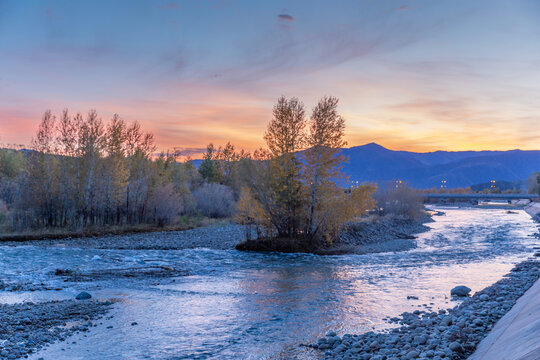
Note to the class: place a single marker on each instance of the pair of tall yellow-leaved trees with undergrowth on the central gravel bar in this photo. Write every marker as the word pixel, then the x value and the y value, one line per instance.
pixel 300 196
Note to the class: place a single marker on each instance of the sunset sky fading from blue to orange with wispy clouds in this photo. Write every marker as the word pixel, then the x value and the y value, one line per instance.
pixel 418 75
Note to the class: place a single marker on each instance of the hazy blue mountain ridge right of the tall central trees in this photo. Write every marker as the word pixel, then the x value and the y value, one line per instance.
pixel 372 162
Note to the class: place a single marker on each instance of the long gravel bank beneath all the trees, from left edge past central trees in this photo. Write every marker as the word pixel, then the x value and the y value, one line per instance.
pixel 370 235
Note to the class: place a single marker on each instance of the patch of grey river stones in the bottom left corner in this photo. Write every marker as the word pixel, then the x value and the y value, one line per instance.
pixel 28 327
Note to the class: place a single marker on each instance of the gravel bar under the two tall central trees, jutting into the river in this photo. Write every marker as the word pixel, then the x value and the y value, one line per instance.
pixel 374 234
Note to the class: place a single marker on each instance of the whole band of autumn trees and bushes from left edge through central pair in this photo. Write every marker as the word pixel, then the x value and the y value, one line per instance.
pixel 82 172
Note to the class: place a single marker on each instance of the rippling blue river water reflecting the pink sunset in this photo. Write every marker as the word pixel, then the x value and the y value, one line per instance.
pixel 236 305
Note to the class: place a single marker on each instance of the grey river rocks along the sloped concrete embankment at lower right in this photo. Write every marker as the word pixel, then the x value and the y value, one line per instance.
pixel 446 334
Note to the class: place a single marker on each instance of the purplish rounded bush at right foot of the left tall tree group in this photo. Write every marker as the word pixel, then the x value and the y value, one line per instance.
pixel 165 205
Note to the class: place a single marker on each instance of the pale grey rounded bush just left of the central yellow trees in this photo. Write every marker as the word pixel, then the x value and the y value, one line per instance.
pixel 215 200
